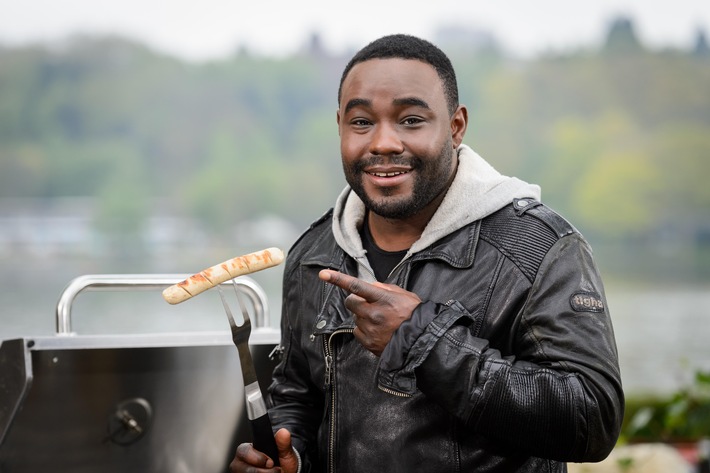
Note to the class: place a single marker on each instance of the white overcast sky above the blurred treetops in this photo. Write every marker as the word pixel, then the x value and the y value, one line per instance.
pixel 203 29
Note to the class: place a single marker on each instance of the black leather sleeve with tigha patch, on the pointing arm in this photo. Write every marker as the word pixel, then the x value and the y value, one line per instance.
pixel 556 393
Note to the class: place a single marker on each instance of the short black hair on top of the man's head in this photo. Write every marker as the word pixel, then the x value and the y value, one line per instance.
pixel 403 46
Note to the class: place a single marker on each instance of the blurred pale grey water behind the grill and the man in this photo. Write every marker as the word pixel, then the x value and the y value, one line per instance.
pixel 662 332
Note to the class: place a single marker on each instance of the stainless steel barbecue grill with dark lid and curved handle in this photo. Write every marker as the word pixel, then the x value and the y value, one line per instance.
pixel 170 402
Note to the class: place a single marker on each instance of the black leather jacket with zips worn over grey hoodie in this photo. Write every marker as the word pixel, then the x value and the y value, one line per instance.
pixel 508 365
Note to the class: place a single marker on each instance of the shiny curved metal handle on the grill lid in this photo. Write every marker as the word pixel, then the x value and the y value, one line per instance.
pixel 147 282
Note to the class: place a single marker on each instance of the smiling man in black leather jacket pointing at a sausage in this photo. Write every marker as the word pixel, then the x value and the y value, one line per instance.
pixel 440 318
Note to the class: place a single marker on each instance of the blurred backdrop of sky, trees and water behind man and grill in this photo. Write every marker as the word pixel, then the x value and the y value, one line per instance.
pixel 165 137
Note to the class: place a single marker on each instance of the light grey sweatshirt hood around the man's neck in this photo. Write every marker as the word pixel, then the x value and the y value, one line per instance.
pixel 477 190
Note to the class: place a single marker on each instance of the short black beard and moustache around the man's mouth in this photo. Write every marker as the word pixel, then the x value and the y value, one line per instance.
pixel 432 175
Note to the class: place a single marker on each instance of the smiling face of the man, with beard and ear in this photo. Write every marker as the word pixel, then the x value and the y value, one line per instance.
pixel 396 138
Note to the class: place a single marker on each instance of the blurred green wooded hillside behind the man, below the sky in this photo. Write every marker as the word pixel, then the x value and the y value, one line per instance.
pixel 616 136
